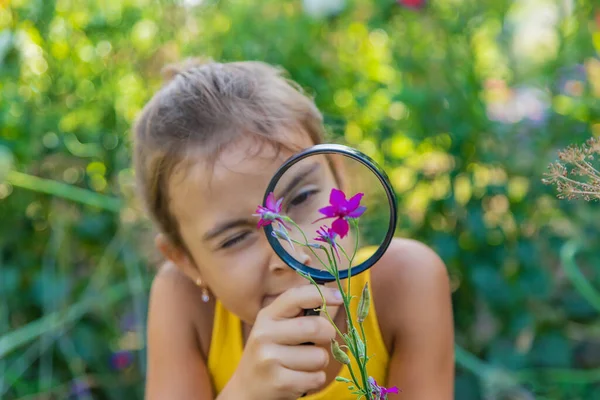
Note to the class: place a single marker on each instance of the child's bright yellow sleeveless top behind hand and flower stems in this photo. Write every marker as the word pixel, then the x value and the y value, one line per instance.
pixel 226 348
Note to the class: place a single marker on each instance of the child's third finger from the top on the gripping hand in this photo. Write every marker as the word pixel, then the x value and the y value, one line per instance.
pixel 302 358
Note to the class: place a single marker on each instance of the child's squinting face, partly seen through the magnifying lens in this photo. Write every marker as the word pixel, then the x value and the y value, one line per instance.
pixel 214 208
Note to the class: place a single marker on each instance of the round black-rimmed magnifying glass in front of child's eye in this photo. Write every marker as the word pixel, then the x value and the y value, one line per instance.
pixel 331 194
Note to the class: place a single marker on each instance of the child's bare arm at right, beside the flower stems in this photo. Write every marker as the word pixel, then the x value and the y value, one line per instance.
pixel 420 318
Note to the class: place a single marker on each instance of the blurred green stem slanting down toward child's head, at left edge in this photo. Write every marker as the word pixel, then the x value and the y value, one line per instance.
pixel 59 189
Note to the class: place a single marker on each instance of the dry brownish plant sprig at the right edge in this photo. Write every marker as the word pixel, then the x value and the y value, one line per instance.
pixel 574 174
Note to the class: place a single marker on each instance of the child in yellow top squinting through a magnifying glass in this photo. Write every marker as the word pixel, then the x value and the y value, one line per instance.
pixel 225 316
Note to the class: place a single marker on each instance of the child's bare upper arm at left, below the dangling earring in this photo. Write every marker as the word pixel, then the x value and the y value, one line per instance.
pixel 176 366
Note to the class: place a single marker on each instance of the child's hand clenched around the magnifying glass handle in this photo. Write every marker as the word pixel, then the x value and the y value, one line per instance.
pixel 274 366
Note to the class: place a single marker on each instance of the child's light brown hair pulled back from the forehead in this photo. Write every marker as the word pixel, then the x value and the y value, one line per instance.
pixel 203 107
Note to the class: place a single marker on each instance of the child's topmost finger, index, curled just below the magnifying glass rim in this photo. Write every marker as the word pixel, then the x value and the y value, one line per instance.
pixel 293 301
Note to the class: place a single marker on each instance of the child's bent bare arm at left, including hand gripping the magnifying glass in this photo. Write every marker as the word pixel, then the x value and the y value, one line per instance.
pixel 273 365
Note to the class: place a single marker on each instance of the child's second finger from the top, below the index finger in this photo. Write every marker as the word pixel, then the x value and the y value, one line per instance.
pixel 301 330
